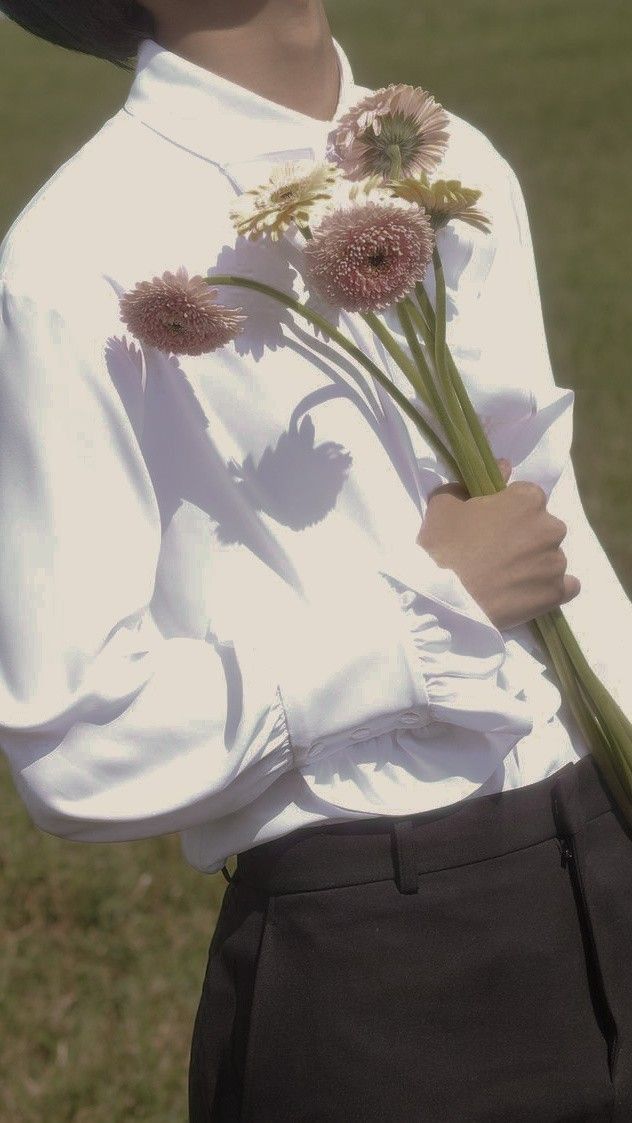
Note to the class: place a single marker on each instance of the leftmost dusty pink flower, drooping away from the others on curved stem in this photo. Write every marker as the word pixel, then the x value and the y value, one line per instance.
pixel 179 314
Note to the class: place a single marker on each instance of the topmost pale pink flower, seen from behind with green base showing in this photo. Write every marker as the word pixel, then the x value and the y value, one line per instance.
pixel 396 132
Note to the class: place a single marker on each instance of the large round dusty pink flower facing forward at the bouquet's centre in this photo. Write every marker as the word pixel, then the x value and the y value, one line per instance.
pixel 368 258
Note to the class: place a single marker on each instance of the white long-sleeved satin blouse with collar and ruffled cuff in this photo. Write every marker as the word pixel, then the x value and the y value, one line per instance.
pixel 215 618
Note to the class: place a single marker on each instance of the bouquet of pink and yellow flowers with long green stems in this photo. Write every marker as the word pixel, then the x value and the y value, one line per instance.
pixel 368 221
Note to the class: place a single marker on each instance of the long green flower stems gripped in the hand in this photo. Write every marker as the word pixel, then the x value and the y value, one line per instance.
pixel 465 450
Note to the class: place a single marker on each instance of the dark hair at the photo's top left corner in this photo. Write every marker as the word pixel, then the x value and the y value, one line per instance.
pixel 111 30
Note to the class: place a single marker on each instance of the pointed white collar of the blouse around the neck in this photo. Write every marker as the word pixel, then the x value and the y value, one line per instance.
pixel 221 121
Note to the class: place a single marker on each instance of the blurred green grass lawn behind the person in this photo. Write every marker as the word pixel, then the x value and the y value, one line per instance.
pixel 104 947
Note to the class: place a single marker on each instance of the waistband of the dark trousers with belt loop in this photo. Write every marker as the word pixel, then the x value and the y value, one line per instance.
pixel 359 852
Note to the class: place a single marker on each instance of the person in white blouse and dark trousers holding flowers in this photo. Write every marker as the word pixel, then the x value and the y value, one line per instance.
pixel 241 601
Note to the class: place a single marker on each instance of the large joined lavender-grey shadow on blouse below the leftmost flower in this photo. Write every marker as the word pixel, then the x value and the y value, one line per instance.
pixel 296 482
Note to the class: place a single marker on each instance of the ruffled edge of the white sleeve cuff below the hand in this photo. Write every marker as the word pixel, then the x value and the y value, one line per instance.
pixel 474 717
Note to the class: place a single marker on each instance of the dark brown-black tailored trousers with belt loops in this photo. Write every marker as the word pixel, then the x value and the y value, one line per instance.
pixel 471 965
